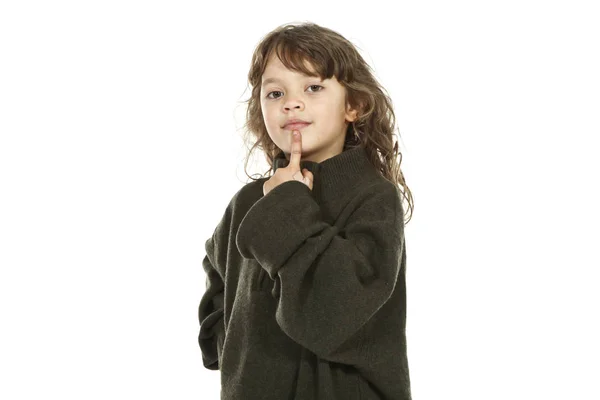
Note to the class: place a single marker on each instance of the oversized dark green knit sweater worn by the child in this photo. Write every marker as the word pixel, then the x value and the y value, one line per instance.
pixel 305 289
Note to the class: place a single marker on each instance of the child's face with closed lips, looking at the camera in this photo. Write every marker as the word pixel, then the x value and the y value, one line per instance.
pixel 294 96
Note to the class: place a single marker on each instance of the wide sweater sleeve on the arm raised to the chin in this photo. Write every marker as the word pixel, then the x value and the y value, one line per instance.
pixel 330 279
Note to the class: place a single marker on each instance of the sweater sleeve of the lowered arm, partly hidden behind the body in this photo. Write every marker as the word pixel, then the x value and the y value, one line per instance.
pixel 210 312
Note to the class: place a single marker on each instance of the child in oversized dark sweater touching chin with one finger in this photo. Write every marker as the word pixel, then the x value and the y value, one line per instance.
pixel 305 273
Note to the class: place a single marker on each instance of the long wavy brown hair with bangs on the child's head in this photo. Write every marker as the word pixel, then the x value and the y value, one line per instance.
pixel 330 54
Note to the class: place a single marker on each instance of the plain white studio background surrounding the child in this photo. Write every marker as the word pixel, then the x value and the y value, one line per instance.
pixel 121 146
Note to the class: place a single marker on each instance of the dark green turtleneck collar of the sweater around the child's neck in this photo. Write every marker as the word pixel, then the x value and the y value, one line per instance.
pixel 337 175
